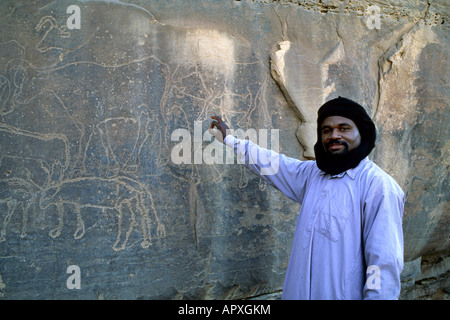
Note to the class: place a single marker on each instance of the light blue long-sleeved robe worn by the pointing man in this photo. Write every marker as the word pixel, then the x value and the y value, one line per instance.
pixel 348 241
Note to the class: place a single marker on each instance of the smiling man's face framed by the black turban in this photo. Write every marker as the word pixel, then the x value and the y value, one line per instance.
pixel 339 135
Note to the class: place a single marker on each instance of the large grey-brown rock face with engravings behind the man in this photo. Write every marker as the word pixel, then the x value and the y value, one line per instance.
pixel 106 162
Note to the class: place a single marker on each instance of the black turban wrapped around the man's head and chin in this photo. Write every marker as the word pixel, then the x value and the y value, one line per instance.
pixel 335 164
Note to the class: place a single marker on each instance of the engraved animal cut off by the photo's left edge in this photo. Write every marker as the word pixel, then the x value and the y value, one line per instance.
pixel 28 161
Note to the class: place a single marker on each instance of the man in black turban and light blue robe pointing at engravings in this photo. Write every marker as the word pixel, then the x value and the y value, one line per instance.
pixel 348 241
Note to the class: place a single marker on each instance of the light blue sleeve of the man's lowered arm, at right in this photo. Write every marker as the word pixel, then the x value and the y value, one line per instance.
pixel 383 239
